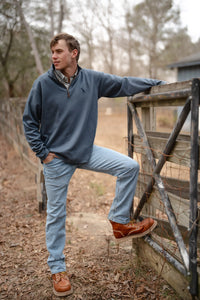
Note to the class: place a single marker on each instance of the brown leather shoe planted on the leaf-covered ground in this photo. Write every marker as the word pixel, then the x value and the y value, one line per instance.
pixel 61 284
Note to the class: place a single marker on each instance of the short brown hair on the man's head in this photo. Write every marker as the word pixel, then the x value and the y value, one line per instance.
pixel 71 42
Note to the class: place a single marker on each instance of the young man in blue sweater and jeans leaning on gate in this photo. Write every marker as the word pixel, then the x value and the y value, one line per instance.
pixel 60 120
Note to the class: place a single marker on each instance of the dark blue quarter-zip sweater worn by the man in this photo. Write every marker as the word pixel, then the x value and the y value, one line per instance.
pixel 65 123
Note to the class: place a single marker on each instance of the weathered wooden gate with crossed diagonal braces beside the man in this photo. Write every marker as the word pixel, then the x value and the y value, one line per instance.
pixel 173 248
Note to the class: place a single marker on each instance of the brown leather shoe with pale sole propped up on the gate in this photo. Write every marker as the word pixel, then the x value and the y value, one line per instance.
pixel 133 230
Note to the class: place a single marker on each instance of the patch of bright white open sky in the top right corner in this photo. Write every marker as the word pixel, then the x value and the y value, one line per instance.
pixel 190 16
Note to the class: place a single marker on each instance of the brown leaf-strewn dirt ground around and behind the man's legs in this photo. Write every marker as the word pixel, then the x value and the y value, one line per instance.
pixel 98 268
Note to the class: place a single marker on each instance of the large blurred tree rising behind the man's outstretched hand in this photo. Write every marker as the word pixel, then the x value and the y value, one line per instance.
pixel 152 22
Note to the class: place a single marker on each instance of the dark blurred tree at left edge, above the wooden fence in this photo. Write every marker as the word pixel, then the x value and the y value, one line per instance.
pixel 11 38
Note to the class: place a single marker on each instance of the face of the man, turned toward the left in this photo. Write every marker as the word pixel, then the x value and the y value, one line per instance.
pixel 61 56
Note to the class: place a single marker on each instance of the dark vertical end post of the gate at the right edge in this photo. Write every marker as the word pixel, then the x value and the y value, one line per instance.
pixel 193 222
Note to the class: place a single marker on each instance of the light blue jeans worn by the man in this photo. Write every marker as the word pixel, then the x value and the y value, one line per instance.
pixel 57 176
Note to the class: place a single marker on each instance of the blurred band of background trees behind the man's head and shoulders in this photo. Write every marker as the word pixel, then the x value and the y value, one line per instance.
pixel 115 36
